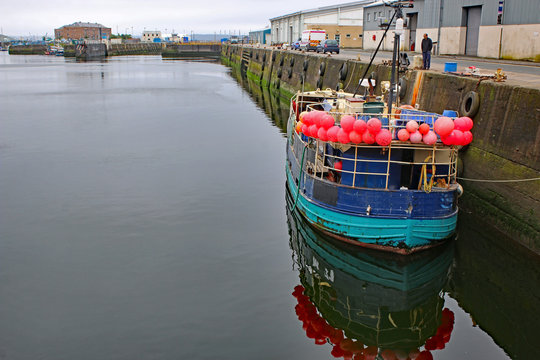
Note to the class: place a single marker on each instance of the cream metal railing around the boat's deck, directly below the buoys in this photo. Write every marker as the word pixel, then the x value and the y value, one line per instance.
pixel 346 165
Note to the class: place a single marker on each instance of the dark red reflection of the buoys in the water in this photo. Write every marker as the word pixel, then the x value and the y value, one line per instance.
pixel 318 329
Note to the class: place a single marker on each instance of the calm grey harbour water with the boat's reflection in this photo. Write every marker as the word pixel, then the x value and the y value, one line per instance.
pixel 143 216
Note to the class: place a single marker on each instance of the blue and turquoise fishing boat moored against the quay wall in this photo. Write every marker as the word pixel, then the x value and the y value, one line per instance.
pixel 374 173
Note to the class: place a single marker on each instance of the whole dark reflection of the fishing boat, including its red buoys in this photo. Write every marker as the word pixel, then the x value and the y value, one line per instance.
pixel 368 304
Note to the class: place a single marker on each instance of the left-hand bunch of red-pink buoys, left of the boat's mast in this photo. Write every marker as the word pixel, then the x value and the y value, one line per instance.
pixel 321 125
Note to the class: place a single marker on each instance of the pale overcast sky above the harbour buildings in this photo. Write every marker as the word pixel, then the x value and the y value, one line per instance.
pixel 40 17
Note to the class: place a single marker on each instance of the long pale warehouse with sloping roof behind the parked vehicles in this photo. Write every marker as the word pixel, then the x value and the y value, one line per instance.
pixel 341 22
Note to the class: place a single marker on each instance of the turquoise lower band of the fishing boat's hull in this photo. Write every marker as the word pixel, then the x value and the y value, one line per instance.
pixel 396 234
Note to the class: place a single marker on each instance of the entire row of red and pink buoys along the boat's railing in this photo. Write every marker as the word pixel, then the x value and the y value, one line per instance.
pixel 321 125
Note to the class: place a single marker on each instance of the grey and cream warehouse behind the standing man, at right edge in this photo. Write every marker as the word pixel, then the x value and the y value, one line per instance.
pixel 485 28
